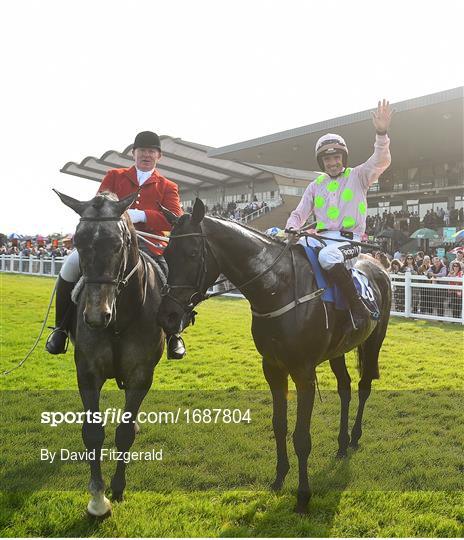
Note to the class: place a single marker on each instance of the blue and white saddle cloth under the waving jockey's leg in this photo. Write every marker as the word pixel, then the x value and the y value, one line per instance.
pixel 332 292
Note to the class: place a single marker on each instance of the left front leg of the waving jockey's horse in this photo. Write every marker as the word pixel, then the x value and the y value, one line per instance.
pixel 278 383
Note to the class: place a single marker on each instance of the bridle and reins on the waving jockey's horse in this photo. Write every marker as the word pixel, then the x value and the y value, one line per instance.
pixel 199 286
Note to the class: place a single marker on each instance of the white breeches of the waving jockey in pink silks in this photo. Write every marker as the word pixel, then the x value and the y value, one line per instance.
pixel 334 252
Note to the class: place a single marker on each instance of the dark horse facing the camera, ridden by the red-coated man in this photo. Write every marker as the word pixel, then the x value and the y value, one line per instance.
pixel 115 331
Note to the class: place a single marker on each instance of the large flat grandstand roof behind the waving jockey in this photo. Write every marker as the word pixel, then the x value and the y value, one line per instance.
pixel 426 128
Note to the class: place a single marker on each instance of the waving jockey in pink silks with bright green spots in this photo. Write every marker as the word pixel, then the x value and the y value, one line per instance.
pixel 338 198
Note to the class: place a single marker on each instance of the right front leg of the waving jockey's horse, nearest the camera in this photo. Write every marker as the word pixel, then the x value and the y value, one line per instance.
pixel 305 388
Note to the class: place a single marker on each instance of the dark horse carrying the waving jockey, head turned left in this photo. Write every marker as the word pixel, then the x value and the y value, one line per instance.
pixel 292 328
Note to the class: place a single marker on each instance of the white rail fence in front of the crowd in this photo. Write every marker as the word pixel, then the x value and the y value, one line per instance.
pixel 416 297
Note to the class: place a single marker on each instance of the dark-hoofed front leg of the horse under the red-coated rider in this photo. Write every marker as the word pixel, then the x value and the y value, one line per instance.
pixel 125 435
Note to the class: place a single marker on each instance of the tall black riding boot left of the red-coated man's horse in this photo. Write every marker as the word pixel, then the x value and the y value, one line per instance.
pixel 56 342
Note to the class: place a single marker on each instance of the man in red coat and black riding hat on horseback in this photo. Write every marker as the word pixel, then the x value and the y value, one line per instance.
pixel 145 215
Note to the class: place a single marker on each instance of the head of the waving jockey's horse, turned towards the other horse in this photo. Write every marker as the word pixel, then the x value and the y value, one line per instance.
pixel 192 269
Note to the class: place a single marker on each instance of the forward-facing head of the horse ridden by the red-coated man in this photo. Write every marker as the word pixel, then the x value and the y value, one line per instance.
pixel 103 239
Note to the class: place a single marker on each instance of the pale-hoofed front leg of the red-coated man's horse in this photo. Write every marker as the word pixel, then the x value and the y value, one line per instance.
pixel 93 435
